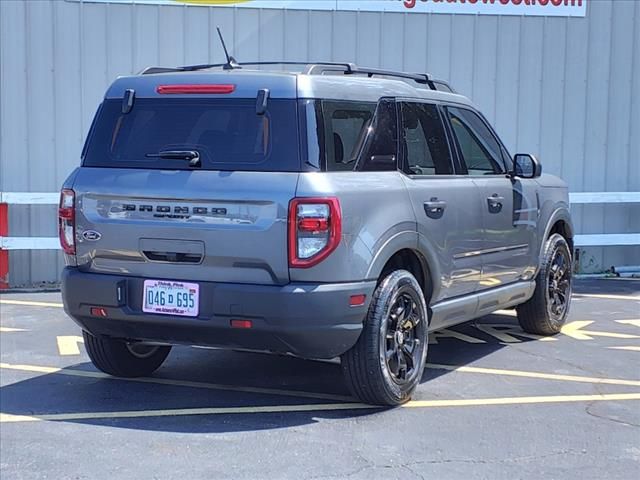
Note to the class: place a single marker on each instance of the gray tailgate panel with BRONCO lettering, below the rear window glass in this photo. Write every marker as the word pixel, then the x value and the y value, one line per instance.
pixel 199 225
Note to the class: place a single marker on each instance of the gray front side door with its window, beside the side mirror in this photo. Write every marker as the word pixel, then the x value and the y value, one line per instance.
pixel 509 207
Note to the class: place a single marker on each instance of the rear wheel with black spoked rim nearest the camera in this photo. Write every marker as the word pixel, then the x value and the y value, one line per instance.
pixel 396 324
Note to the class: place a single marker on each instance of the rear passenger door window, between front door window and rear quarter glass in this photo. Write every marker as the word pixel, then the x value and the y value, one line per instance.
pixel 423 140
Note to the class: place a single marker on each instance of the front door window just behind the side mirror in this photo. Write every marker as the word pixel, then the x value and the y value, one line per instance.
pixel 481 152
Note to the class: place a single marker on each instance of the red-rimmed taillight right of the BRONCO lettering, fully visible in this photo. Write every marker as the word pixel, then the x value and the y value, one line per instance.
pixel 315 226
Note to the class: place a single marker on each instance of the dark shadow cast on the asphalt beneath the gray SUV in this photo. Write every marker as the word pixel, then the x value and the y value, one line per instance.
pixel 216 379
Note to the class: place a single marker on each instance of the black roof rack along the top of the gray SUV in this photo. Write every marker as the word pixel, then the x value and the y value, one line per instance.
pixel 316 68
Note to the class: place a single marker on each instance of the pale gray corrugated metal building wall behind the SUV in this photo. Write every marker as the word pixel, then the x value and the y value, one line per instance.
pixel 565 89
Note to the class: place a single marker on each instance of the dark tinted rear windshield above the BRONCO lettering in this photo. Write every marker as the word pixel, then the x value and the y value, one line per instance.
pixel 227 134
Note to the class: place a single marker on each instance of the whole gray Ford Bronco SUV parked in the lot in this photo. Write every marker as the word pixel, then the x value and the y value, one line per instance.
pixel 334 212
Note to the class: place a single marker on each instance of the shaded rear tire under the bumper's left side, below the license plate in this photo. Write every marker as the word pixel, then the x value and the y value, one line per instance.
pixel 122 359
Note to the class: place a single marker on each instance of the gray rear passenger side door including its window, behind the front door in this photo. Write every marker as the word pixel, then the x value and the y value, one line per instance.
pixel 446 207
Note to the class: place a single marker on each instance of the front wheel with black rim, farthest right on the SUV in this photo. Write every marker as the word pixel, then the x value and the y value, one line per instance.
pixel 542 314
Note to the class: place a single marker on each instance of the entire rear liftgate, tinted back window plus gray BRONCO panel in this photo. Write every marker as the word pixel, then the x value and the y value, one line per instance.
pixel 142 213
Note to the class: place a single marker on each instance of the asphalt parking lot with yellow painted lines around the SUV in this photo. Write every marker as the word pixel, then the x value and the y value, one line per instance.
pixel 494 404
